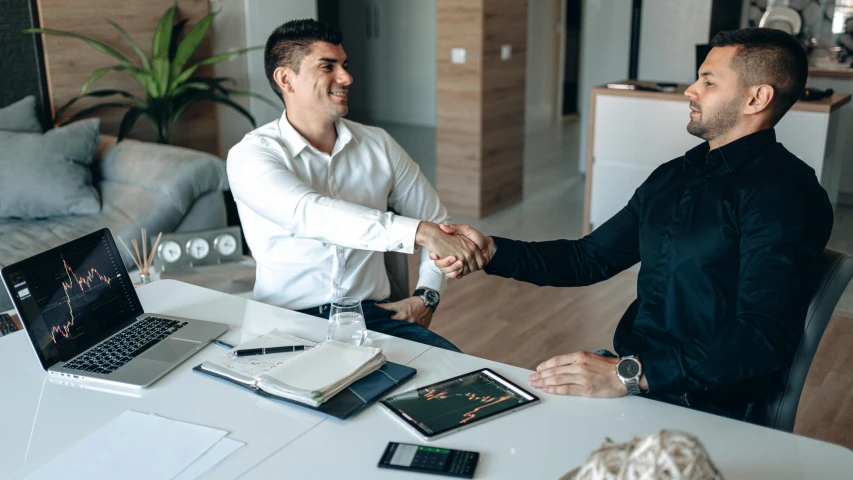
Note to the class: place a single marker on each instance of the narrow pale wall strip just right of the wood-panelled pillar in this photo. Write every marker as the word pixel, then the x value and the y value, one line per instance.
pixel 541 72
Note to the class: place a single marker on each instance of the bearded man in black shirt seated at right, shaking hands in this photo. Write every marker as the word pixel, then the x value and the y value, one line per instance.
pixel 728 237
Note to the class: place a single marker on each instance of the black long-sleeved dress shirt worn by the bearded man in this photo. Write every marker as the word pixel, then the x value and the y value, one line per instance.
pixel 728 242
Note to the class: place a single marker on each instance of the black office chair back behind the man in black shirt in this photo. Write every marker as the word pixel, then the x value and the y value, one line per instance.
pixel 781 411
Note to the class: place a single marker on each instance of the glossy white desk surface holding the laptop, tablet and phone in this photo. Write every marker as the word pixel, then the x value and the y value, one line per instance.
pixel 543 441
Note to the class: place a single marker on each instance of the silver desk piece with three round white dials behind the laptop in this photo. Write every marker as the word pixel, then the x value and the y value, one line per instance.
pixel 180 251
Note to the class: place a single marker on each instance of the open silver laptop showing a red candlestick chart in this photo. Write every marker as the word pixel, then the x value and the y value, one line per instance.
pixel 84 319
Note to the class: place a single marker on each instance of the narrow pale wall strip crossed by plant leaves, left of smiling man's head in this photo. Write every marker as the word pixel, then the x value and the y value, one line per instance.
pixel 229 33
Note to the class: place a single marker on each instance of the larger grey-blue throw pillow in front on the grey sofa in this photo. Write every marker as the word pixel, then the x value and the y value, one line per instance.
pixel 47 175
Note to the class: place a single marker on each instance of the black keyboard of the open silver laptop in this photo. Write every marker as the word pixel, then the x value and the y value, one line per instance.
pixel 123 347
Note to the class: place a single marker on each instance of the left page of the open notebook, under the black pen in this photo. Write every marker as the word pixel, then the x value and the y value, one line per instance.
pixel 247 369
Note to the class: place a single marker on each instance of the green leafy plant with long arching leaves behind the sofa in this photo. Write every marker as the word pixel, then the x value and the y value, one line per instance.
pixel 171 86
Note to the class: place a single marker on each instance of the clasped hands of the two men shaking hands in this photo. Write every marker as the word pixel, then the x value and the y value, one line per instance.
pixel 457 250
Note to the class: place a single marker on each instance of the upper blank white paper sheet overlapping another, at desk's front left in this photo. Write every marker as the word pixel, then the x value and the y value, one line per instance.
pixel 133 446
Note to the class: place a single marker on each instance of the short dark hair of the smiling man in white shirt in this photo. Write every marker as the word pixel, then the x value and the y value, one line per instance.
pixel 288 44
